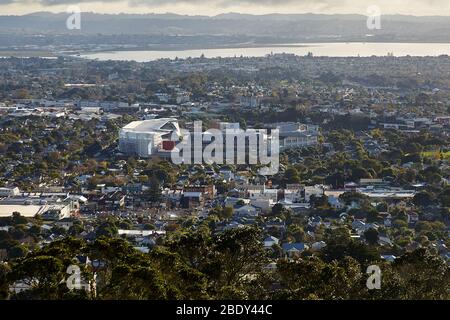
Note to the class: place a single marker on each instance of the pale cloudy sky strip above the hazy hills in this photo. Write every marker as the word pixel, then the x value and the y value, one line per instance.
pixel 214 7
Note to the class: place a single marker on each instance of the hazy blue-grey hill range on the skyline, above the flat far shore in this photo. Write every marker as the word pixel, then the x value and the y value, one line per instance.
pixel 300 26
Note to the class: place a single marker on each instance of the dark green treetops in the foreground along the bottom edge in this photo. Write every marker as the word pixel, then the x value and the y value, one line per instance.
pixel 196 264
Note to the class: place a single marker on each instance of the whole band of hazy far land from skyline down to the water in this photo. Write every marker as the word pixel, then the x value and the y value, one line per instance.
pixel 230 29
